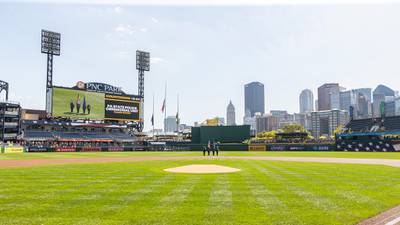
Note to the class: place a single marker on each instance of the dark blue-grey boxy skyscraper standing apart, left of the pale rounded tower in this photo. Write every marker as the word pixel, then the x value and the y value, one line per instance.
pixel 254 99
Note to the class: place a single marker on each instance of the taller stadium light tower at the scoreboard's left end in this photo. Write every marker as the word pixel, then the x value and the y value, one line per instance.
pixel 50 46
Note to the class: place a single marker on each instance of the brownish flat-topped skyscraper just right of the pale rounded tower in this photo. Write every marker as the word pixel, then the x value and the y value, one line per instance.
pixel 328 96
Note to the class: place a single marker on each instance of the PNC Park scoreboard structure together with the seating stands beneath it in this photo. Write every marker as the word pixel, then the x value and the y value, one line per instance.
pixel 86 117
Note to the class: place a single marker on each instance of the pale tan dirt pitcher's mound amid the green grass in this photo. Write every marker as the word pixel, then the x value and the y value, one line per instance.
pixel 202 168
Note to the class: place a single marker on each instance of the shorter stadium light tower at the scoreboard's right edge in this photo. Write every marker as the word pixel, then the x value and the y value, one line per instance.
pixel 142 64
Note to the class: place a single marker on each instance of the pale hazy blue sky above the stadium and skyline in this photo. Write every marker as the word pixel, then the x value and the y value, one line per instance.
pixel 204 53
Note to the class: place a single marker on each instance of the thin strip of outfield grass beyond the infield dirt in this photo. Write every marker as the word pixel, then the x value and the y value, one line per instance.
pixel 379 155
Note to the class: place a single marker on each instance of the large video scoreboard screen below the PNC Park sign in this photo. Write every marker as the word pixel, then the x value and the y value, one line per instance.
pixel 81 104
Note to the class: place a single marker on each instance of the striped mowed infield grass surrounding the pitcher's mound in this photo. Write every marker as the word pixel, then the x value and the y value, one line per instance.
pixel 264 192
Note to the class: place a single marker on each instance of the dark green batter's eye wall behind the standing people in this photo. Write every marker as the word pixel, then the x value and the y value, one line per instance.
pixel 223 134
